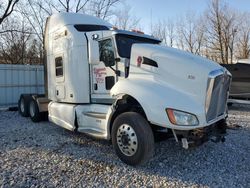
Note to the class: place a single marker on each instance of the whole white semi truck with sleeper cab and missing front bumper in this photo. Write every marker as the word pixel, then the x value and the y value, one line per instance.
pixel 125 87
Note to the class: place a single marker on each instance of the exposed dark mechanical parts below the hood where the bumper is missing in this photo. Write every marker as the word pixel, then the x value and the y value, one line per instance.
pixel 215 132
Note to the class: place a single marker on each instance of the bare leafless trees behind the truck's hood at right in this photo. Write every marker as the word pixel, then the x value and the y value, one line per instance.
pixel 220 33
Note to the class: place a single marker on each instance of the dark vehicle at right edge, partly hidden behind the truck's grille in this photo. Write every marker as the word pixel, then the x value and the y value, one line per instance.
pixel 240 87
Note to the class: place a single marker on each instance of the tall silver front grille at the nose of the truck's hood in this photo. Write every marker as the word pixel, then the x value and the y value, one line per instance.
pixel 217 94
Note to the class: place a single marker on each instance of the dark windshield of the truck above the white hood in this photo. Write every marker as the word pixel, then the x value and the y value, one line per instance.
pixel 124 43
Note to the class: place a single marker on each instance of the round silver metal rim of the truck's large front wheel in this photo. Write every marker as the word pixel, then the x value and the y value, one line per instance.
pixel 127 140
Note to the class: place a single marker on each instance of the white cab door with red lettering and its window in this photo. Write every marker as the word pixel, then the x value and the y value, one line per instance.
pixel 103 76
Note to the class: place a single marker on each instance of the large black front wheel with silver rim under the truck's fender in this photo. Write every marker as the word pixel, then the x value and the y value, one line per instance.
pixel 132 138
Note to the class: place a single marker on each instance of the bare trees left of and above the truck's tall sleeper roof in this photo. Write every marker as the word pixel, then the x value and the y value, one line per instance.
pixel 22 24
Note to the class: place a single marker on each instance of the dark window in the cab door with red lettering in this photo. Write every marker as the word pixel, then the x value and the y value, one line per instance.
pixel 107 52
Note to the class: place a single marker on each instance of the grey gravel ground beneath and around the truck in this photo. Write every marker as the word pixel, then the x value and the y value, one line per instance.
pixel 45 155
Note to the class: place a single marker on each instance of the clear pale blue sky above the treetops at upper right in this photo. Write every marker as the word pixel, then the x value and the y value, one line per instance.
pixel 173 9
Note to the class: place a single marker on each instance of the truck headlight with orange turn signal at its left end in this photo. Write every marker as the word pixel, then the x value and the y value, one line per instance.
pixel 177 117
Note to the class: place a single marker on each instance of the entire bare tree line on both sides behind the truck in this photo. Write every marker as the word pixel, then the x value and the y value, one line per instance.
pixel 220 33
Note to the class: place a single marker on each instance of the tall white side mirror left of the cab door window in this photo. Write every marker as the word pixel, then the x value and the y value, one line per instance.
pixel 94 54
